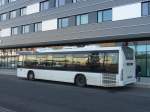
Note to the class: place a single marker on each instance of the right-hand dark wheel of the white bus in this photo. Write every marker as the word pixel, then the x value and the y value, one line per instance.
pixel 80 80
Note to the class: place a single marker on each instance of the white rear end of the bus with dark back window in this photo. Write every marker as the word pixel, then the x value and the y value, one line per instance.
pixel 127 66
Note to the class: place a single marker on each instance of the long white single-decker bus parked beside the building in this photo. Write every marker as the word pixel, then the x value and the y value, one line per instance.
pixel 98 66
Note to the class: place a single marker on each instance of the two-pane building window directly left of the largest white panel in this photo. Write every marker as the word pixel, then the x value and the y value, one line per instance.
pixel 105 15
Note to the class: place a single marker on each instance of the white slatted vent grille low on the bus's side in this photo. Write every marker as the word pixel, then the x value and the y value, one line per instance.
pixel 109 80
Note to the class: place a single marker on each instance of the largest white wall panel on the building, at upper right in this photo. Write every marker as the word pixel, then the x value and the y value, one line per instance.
pixel 126 11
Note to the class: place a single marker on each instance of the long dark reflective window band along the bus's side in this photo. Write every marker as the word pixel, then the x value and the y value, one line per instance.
pixel 102 62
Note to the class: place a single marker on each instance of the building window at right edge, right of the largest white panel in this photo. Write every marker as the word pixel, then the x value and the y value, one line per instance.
pixel 145 8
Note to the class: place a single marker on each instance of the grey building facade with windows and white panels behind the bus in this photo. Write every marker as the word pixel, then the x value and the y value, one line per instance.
pixel 31 24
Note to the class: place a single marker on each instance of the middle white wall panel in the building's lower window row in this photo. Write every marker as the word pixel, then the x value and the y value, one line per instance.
pixel 49 25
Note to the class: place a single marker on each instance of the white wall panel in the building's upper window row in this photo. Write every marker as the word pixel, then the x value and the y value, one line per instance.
pixel 34 8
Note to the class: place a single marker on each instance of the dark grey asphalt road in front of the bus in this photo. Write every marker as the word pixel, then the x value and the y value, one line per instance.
pixel 17 95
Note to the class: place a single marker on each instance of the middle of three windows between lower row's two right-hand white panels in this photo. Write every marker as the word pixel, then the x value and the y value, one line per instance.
pixel 82 19
